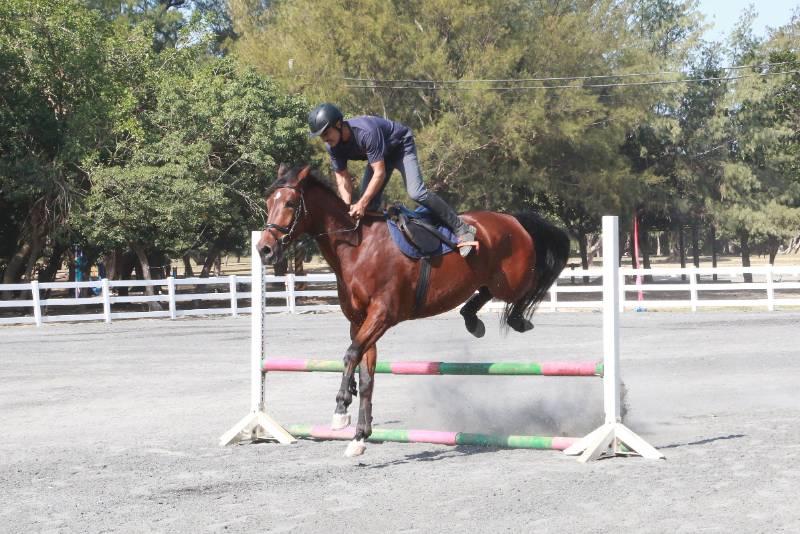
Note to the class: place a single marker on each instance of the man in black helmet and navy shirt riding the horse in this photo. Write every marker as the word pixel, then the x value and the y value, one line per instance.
pixel 386 145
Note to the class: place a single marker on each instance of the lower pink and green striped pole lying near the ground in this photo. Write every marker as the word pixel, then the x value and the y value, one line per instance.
pixel 438 437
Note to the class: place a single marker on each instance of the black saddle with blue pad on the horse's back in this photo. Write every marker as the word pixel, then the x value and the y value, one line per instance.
pixel 417 233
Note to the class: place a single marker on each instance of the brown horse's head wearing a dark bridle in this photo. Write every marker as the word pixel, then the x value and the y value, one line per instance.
pixel 286 211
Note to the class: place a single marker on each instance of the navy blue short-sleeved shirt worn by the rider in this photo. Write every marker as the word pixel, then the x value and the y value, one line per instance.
pixel 372 139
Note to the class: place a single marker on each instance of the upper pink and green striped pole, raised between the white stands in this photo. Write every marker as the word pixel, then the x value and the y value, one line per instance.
pixel 592 368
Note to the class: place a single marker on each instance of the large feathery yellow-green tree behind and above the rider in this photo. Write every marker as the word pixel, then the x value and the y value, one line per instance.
pixel 489 144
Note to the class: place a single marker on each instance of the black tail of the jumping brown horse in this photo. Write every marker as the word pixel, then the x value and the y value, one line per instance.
pixel 552 251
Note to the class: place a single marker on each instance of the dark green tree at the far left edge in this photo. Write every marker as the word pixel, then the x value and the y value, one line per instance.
pixel 53 120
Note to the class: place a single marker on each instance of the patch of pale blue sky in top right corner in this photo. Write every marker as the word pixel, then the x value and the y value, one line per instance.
pixel 724 14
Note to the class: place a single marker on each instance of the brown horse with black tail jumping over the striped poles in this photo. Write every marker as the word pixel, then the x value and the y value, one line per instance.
pixel 518 260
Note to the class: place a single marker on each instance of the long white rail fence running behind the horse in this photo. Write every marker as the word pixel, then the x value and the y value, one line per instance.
pixel 676 288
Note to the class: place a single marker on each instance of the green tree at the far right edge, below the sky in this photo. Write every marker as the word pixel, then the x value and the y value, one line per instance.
pixel 759 201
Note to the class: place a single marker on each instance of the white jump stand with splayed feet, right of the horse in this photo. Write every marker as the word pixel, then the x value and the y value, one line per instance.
pixel 610 436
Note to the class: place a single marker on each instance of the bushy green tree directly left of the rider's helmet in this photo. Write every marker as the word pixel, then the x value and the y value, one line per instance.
pixel 211 143
